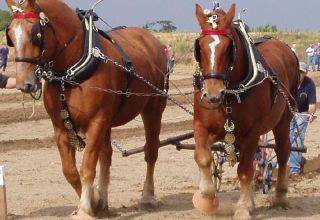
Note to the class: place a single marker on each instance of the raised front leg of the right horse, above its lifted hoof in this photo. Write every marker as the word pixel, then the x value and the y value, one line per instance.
pixel 203 158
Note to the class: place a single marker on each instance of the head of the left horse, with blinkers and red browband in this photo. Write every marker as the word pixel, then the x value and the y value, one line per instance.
pixel 36 41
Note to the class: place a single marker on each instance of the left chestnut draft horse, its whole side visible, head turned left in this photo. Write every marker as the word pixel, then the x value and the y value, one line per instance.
pixel 49 39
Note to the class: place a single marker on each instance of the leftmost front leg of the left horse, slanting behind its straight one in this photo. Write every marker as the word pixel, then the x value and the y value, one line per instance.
pixel 67 155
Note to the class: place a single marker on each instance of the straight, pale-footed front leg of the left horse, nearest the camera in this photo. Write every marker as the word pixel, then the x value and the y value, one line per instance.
pixel 95 140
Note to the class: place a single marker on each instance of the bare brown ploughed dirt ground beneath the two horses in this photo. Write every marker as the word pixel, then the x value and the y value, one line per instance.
pixel 37 189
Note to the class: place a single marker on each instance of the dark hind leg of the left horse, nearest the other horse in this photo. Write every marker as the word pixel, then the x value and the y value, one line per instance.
pixel 152 126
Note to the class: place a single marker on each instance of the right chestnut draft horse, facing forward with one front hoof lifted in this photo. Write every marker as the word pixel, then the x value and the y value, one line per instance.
pixel 232 105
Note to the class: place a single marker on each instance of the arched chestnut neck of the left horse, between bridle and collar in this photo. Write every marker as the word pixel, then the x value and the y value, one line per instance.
pixel 66 26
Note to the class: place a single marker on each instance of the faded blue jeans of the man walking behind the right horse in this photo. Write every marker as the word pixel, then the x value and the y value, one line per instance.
pixel 297 137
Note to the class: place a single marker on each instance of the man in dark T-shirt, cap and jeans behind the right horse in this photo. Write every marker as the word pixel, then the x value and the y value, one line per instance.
pixel 306 108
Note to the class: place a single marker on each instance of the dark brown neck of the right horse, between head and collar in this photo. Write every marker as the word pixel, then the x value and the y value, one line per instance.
pixel 240 68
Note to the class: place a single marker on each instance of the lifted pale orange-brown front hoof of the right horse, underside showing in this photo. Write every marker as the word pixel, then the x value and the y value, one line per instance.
pixel 205 205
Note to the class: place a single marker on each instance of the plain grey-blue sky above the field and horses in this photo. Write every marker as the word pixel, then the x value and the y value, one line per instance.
pixel 287 15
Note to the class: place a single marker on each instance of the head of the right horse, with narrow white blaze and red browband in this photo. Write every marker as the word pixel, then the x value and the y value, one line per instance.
pixel 213 50
